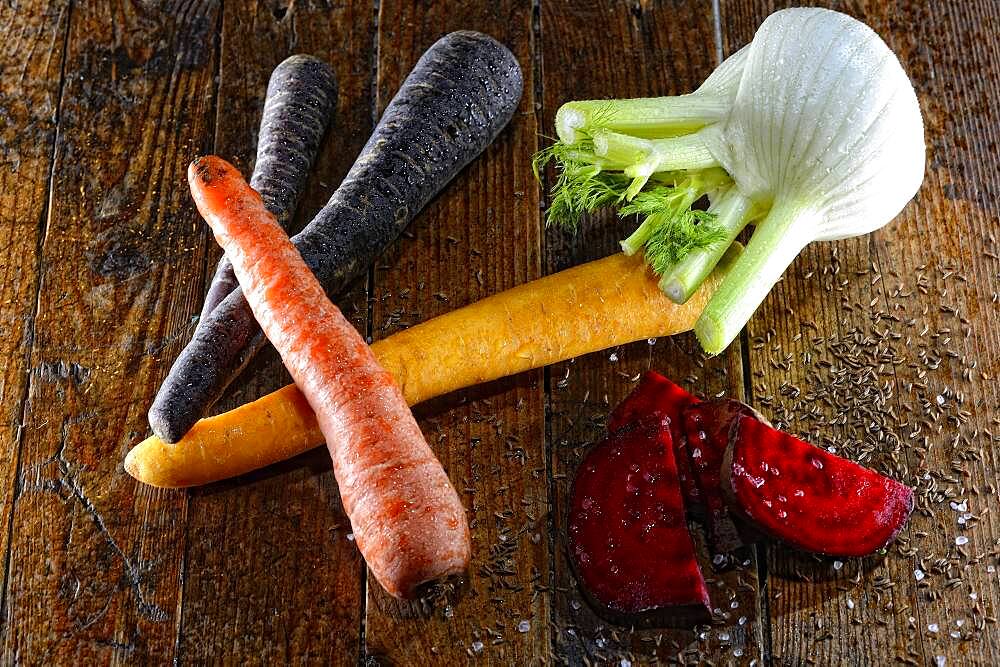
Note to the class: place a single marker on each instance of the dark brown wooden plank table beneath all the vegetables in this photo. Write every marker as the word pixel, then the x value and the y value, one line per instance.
pixel 886 347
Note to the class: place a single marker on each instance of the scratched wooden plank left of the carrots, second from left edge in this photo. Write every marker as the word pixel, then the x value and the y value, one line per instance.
pixel 97 558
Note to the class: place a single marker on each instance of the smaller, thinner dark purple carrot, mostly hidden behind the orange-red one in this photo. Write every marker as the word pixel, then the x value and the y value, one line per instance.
pixel 301 98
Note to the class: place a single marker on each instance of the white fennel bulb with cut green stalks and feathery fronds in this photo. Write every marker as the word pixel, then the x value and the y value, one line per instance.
pixel 821 138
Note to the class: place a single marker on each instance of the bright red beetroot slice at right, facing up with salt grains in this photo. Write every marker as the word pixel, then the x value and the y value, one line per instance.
pixel 810 498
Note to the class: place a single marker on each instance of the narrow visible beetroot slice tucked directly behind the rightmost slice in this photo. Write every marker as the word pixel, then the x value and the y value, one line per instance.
pixel 707 427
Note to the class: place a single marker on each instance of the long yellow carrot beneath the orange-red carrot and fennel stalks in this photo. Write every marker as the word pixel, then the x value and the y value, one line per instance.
pixel 608 302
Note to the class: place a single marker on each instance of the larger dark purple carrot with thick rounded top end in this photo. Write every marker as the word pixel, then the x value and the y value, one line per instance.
pixel 458 97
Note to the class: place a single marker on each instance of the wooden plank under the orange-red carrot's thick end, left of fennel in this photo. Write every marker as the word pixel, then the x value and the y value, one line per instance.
pixel 479 237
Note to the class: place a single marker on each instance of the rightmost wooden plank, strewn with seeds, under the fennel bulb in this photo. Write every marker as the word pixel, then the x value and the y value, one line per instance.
pixel 913 353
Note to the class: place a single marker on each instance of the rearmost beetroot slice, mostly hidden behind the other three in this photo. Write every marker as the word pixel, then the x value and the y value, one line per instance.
pixel 656 395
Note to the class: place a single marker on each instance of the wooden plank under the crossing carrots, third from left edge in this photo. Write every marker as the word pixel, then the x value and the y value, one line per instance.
pixel 270 572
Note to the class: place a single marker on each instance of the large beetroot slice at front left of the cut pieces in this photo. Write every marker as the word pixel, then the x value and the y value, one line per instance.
pixel 628 538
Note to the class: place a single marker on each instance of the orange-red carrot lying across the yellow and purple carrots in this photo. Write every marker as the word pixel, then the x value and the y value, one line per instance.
pixel 408 521
